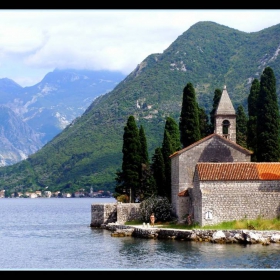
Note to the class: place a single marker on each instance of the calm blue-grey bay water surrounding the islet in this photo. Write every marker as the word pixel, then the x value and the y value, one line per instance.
pixel 55 234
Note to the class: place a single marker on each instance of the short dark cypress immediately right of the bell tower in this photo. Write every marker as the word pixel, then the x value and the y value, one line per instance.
pixel 241 126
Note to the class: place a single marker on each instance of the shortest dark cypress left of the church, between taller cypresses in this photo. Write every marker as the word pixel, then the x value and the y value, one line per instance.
pixel 158 171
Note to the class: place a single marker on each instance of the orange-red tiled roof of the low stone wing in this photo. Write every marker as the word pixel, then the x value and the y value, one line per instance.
pixel 235 171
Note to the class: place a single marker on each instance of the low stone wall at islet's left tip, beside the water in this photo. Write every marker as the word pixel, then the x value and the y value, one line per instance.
pixel 113 213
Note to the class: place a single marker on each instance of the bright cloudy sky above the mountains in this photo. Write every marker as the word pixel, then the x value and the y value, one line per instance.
pixel 35 42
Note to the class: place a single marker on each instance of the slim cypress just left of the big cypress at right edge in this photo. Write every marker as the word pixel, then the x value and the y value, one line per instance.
pixel 252 118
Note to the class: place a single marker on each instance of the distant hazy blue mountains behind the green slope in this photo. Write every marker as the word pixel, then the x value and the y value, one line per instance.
pixel 32 116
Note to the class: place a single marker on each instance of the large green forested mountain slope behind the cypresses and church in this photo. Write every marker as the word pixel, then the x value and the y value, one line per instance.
pixel 89 151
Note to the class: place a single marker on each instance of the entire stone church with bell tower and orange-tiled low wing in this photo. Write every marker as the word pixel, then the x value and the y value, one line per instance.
pixel 213 180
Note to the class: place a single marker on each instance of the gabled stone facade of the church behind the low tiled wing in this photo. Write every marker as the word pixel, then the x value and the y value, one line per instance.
pixel 213 148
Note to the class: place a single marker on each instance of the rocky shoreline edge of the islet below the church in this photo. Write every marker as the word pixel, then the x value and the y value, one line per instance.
pixel 213 236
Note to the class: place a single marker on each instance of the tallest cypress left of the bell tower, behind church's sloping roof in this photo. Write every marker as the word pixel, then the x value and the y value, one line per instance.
pixel 189 118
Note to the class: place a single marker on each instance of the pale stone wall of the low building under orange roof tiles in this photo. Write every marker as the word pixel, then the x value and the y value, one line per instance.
pixel 218 201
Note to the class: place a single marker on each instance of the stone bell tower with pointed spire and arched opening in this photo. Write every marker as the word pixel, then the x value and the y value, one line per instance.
pixel 225 117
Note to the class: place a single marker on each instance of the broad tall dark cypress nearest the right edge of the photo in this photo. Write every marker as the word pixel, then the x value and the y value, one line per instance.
pixel 268 129
